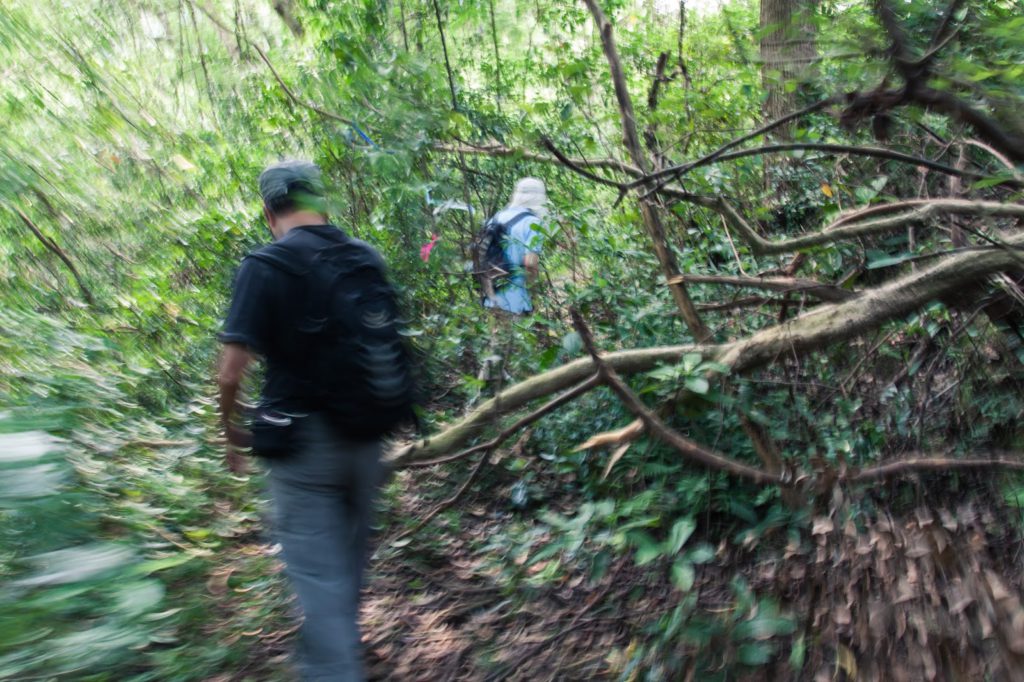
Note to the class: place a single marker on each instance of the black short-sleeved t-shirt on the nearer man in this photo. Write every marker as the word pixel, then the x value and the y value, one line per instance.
pixel 268 305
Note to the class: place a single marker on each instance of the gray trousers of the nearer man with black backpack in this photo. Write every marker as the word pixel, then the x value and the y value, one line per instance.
pixel 324 495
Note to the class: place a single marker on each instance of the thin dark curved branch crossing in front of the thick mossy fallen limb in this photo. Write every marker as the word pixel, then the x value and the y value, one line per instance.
pixel 689 449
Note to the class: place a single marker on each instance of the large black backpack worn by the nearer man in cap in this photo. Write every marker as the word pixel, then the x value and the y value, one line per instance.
pixel 354 362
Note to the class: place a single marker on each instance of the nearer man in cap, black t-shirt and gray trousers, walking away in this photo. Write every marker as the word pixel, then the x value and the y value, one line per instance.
pixel 316 307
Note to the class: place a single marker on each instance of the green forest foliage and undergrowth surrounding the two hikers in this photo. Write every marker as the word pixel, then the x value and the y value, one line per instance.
pixel 135 131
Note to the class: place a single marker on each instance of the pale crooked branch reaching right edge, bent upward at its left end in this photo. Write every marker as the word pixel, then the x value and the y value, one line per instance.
pixel 843 231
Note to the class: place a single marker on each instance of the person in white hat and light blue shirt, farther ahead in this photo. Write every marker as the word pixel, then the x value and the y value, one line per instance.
pixel 523 248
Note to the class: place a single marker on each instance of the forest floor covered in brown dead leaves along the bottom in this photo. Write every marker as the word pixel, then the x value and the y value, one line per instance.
pixel 932 593
